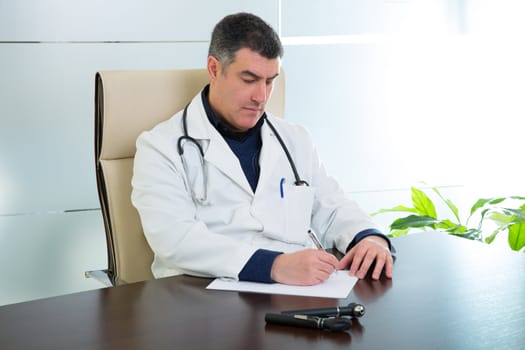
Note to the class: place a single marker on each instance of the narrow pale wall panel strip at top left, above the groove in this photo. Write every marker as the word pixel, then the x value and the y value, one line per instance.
pixel 120 20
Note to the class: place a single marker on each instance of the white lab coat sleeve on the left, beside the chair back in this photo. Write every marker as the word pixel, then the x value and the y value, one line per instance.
pixel 181 243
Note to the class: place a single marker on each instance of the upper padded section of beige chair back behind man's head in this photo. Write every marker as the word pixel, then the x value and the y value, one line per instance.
pixel 129 102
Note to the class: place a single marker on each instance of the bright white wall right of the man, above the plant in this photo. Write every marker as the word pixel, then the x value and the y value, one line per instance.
pixel 398 92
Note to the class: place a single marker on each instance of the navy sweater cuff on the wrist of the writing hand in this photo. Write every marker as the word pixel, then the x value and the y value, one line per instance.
pixel 259 267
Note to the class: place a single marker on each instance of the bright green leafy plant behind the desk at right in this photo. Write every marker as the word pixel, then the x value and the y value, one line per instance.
pixel 488 217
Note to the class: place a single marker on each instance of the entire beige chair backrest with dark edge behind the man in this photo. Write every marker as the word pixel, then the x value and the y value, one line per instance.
pixel 127 103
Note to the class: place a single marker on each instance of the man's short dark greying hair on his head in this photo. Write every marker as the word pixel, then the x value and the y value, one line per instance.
pixel 243 30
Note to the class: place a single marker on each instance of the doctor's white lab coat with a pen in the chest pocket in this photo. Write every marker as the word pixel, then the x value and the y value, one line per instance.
pixel 218 237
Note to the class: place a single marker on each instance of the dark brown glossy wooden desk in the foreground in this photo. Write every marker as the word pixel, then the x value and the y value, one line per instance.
pixel 447 293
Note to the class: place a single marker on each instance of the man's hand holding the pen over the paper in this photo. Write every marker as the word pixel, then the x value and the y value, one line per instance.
pixel 303 268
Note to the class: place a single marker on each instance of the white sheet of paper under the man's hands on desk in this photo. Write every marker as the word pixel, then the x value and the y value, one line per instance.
pixel 337 286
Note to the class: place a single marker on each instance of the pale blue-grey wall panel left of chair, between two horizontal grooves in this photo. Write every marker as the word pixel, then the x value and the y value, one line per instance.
pixel 47 94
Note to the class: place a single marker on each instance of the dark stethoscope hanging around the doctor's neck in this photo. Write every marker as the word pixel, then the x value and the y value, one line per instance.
pixel 186 138
